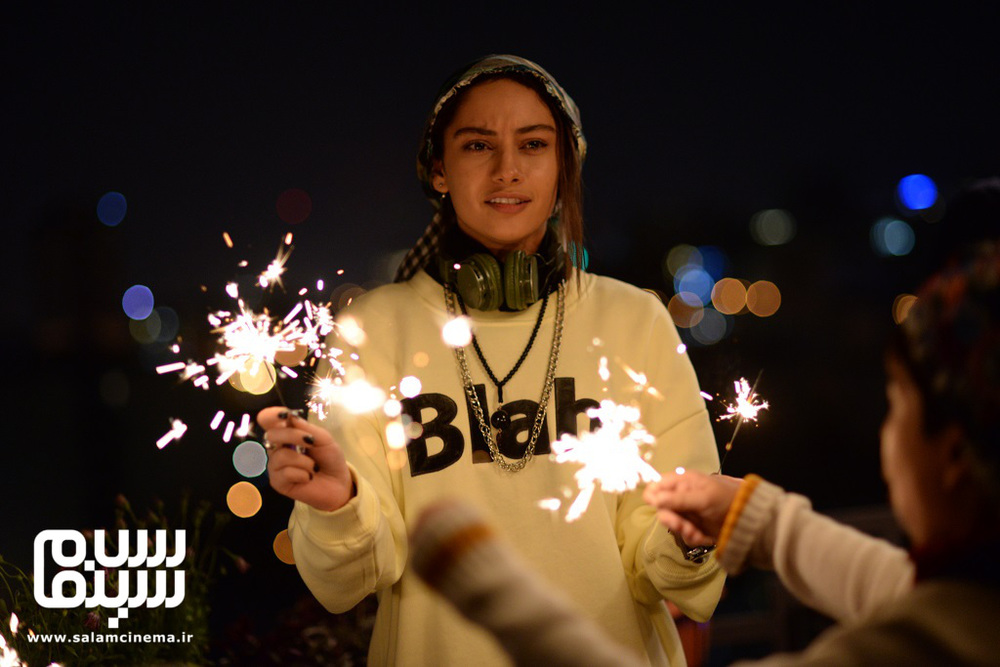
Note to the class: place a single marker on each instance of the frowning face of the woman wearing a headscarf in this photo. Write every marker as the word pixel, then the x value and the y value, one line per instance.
pixel 500 166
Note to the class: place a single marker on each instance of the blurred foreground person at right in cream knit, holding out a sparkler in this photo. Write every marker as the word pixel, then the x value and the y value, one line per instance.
pixel 939 603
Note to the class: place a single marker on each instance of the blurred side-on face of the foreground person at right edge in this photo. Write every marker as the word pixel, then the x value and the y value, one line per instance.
pixel 913 463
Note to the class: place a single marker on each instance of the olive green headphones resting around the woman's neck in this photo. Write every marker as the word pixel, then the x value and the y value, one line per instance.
pixel 484 285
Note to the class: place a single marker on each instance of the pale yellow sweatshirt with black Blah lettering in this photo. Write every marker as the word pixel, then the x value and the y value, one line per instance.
pixel 615 562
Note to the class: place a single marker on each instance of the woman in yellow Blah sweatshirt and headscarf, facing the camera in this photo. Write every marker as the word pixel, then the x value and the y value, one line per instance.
pixel 500 161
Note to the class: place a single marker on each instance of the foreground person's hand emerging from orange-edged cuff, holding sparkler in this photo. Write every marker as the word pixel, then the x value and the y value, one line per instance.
pixel 692 505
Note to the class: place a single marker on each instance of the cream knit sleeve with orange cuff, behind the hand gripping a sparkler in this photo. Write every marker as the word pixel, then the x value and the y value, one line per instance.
pixel 828 566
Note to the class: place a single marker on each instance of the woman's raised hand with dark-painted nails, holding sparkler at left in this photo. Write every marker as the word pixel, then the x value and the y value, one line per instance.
pixel 303 460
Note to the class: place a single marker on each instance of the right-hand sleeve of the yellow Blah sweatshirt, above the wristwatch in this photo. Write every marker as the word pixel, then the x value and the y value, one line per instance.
pixel 674 412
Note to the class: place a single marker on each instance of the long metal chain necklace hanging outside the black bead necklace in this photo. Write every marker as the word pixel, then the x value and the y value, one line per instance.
pixel 550 376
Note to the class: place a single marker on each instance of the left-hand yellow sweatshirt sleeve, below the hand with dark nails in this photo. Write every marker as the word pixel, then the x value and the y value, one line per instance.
pixel 361 548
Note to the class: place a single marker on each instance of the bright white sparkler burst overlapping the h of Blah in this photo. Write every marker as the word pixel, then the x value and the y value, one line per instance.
pixel 610 457
